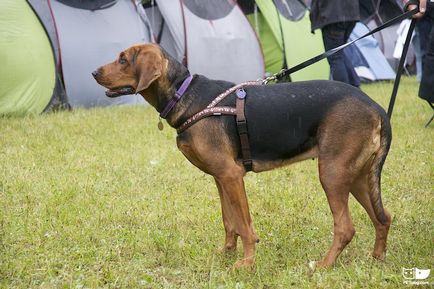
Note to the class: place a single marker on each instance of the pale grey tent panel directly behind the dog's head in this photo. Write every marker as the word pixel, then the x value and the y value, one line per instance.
pixel 89 39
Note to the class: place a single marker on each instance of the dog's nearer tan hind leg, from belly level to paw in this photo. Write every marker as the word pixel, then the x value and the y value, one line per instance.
pixel 335 181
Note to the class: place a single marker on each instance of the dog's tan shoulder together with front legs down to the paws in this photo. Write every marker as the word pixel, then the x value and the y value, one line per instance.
pixel 216 157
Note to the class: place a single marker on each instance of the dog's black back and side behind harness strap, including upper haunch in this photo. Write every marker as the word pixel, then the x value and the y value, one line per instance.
pixel 283 119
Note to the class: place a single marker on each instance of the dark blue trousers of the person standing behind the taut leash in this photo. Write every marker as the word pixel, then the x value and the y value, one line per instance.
pixel 341 68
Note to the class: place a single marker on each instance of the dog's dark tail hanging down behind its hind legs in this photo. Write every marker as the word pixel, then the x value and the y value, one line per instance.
pixel 377 166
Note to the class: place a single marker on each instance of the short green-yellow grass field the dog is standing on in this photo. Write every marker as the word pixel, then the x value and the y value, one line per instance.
pixel 101 199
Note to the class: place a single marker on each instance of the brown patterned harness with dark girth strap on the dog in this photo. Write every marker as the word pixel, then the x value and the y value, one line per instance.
pixel 238 111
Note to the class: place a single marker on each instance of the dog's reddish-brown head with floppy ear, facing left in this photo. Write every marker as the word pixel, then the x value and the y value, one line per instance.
pixel 134 71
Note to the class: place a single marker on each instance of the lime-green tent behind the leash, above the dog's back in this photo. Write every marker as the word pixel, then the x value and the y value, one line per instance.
pixel 283 27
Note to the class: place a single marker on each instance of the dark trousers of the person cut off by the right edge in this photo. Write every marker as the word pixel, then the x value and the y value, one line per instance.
pixel 426 89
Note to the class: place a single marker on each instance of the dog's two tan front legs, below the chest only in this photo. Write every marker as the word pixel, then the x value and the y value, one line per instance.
pixel 236 215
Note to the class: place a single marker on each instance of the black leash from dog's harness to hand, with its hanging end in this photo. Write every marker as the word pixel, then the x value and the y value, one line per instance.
pixel 408 14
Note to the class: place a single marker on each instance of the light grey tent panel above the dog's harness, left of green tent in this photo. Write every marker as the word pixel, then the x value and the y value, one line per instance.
pixel 230 40
